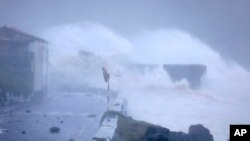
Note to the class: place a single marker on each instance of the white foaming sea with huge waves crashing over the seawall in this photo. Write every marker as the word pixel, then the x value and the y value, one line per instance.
pixel 222 99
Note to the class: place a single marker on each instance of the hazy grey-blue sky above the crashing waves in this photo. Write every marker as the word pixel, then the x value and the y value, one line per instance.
pixel 222 24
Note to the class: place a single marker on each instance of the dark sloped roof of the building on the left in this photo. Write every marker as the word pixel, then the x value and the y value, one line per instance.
pixel 13 34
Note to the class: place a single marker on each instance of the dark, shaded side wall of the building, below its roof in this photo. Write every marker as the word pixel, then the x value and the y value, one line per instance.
pixel 16 75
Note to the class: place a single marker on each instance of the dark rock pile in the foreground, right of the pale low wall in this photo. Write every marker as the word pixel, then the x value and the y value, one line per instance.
pixel 129 129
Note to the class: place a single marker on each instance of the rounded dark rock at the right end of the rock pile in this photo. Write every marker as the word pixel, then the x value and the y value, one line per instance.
pixel 200 133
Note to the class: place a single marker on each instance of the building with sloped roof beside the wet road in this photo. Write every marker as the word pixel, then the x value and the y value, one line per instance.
pixel 23 64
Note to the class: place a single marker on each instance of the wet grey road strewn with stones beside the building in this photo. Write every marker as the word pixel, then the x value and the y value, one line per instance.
pixel 76 117
